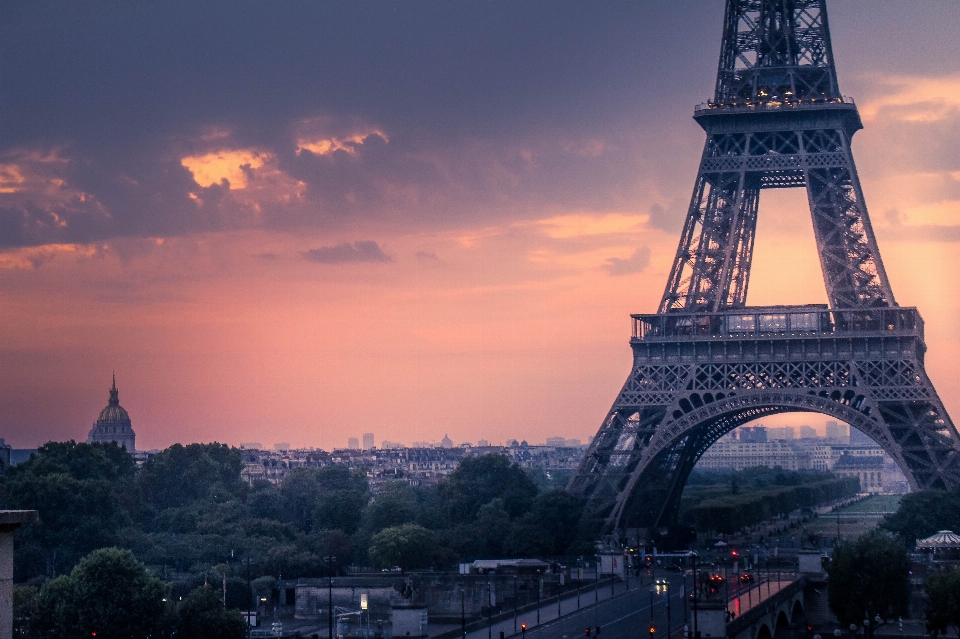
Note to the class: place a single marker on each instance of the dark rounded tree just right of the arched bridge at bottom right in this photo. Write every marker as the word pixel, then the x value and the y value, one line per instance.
pixel 869 576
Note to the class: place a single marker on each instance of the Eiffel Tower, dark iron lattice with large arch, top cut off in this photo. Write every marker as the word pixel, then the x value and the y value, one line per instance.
pixel 706 362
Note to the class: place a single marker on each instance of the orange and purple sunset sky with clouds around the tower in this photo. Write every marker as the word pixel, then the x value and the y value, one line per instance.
pixel 302 221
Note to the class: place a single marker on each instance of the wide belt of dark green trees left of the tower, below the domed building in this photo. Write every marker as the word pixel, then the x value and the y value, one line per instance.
pixel 188 515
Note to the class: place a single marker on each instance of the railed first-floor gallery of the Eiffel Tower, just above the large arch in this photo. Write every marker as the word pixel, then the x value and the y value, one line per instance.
pixel 792 321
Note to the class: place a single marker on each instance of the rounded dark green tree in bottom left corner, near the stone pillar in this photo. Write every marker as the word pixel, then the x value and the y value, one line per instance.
pixel 109 593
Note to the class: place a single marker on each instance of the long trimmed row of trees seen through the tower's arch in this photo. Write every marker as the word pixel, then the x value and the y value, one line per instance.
pixel 728 502
